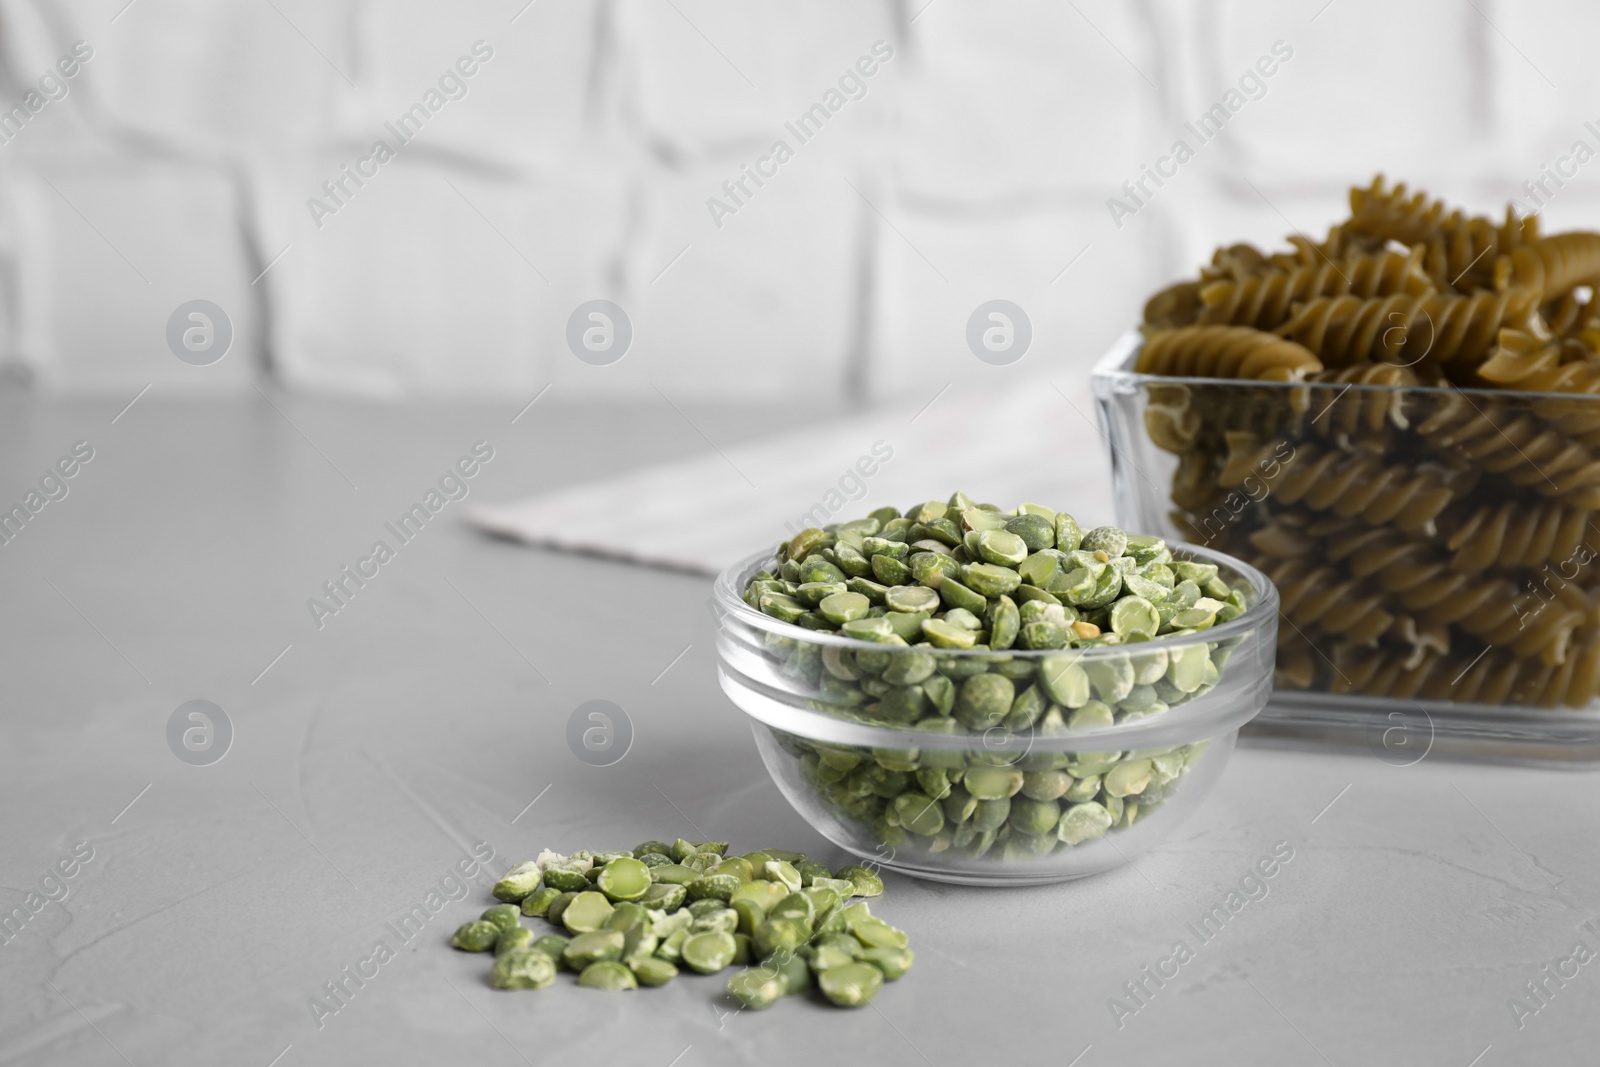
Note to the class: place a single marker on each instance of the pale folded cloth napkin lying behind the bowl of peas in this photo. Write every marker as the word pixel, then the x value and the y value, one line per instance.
pixel 1033 442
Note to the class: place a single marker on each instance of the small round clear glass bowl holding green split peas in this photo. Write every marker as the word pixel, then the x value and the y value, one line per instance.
pixel 998 767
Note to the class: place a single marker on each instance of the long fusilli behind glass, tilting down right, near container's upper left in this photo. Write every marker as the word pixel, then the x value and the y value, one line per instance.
pixel 1350 486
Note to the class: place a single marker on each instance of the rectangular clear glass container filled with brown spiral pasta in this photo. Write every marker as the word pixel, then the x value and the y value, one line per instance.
pixel 1434 548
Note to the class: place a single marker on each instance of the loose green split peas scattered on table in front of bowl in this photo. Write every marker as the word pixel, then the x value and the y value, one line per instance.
pixel 633 919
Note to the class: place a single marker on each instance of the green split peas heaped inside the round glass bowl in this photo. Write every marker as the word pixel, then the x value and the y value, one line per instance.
pixel 951 578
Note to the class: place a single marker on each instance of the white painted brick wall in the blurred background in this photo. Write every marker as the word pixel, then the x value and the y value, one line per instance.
pixel 186 154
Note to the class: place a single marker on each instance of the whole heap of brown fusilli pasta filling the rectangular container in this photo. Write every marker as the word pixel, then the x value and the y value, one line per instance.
pixel 1422 473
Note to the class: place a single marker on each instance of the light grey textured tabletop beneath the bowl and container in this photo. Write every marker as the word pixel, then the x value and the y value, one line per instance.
pixel 428 719
